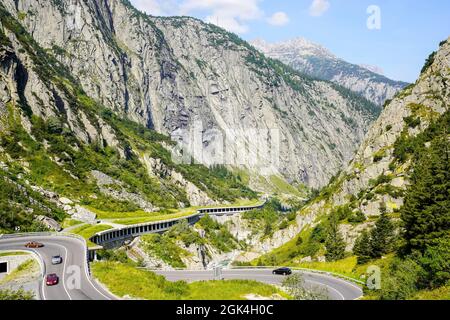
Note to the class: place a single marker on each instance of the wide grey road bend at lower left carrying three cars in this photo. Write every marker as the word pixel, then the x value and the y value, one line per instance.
pixel 74 279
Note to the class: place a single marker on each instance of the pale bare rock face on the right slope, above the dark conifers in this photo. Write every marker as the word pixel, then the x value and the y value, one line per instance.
pixel 375 180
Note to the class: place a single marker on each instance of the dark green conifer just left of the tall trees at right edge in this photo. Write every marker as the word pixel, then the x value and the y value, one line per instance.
pixel 382 236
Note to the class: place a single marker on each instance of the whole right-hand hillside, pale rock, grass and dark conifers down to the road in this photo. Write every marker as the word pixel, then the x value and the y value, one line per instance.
pixel 393 200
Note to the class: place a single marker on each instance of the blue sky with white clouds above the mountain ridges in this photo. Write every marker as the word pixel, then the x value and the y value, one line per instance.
pixel 394 35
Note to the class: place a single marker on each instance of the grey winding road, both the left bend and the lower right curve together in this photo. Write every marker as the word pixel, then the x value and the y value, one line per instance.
pixel 77 284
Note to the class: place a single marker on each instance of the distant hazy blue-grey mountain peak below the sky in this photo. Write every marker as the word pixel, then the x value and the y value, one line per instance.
pixel 317 61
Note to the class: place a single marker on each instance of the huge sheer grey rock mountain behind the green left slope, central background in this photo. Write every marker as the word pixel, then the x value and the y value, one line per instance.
pixel 180 76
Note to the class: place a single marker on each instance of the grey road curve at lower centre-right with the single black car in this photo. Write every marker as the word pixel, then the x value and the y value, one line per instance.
pixel 335 288
